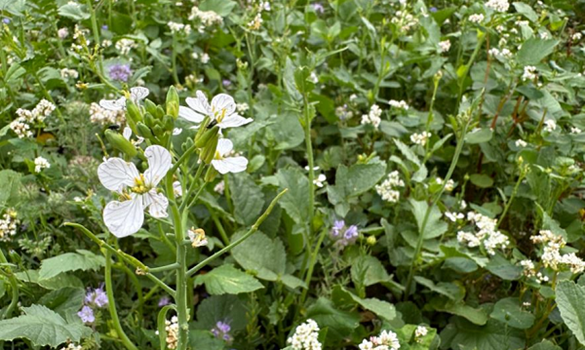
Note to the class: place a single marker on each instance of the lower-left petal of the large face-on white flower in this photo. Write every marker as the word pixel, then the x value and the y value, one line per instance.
pixel 124 218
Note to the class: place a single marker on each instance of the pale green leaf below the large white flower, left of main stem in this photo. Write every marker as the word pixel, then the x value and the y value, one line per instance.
pixel 82 260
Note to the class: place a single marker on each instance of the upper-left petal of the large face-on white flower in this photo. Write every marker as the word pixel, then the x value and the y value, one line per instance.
pixel 115 174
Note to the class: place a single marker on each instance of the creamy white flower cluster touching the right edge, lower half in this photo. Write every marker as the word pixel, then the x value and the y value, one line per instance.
pixel 552 256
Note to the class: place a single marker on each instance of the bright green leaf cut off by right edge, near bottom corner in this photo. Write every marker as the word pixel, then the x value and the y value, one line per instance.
pixel 569 299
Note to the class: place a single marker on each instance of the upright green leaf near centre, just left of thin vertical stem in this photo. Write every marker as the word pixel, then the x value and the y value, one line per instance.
pixel 296 200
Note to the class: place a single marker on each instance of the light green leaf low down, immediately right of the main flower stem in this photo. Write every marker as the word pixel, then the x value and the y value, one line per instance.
pixel 226 279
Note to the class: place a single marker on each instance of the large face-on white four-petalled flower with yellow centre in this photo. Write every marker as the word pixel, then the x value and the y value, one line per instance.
pixel 138 190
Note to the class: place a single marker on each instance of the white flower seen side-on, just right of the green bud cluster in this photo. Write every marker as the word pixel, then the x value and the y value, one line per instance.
pixel 221 110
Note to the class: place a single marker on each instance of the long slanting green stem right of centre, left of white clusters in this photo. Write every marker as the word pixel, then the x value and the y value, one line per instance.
pixel 421 238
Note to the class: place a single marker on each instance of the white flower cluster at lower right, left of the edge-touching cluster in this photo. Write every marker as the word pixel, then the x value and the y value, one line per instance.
pixel 486 234
